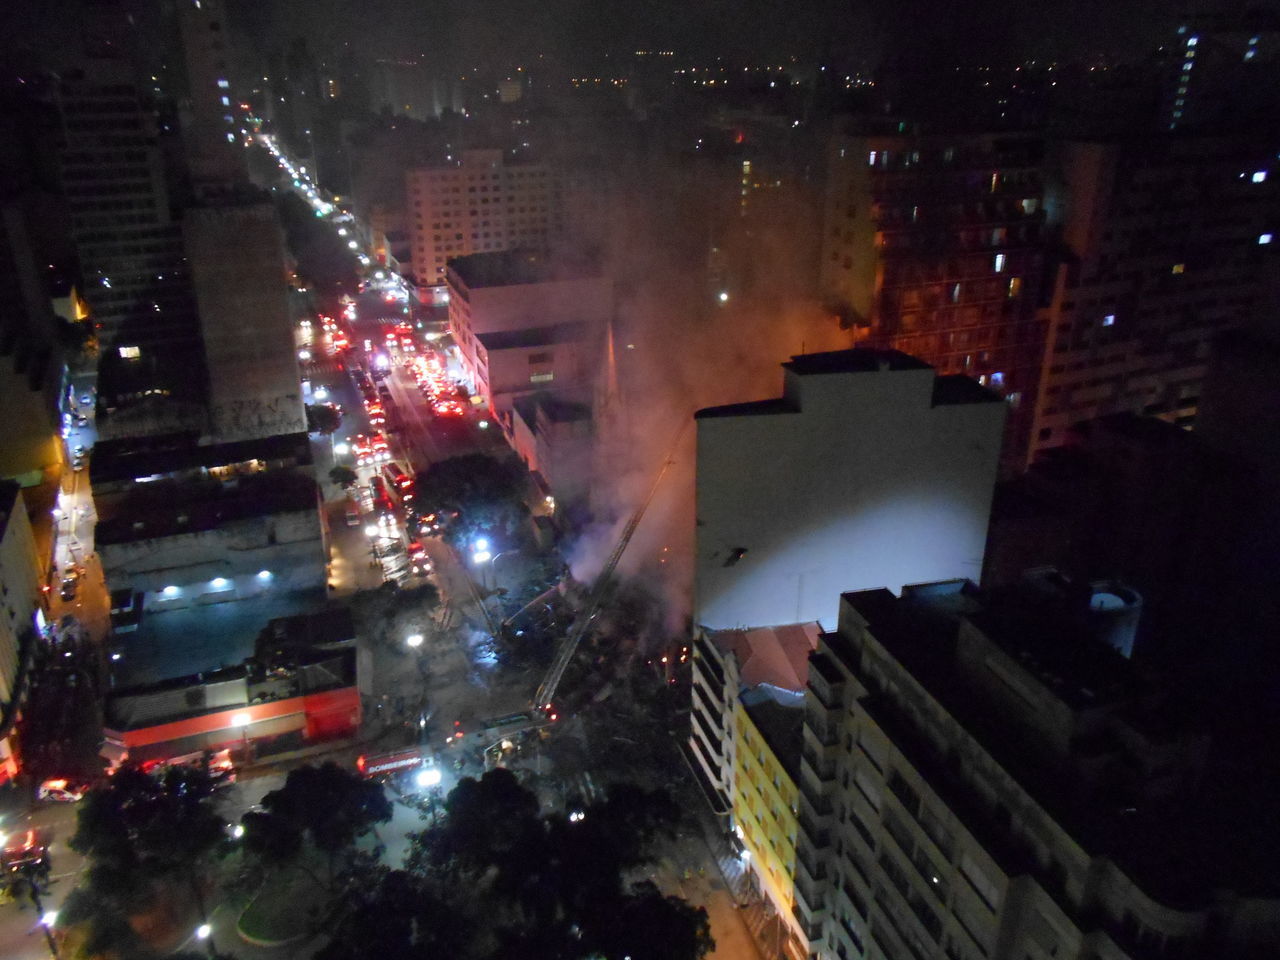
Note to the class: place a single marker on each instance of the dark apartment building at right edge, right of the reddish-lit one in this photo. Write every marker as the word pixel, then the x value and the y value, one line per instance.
pixel 1167 243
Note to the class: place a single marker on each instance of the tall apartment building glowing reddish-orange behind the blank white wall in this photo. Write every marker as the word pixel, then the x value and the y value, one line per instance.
pixel 934 246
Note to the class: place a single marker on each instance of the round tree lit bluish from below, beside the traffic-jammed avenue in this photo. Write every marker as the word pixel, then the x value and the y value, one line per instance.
pixel 484 492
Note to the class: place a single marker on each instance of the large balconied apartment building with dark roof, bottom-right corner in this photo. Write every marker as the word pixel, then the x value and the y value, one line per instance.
pixel 981 779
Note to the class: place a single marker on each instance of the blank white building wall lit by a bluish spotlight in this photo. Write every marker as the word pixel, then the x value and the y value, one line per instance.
pixel 866 486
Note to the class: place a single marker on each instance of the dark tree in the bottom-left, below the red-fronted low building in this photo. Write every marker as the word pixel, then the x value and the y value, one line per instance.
pixel 144 836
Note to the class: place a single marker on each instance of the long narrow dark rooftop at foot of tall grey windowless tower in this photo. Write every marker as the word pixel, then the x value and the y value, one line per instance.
pixel 135 458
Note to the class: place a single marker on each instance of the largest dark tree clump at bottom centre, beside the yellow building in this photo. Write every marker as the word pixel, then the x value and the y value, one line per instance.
pixel 495 877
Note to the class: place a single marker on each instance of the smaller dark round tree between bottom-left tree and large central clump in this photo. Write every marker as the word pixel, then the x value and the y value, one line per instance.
pixel 327 808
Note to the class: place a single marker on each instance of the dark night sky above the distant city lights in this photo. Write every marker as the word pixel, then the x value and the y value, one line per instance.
pixel 583 31
